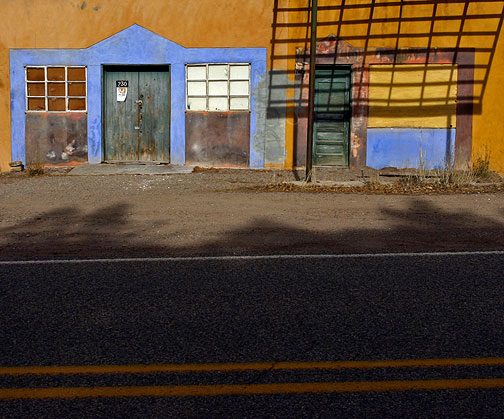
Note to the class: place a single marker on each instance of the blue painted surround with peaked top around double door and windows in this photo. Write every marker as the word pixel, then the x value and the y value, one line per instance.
pixel 135 45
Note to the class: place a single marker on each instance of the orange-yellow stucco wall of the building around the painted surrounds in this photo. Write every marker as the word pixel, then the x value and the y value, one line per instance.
pixel 229 23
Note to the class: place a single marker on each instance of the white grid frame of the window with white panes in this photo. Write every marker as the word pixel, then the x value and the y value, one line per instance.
pixel 228 97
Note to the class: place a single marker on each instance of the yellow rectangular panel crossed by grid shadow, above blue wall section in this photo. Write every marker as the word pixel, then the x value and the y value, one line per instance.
pixel 415 96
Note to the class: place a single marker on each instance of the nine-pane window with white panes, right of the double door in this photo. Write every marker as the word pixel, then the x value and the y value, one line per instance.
pixel 218 87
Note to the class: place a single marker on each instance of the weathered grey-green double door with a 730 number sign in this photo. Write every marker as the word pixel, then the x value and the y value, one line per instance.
pixel 137 127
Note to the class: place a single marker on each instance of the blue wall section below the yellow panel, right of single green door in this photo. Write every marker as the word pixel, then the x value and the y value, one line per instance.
pixel 402 147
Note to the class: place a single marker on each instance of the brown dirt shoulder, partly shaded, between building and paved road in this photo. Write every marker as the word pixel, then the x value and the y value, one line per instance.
pixel 227 212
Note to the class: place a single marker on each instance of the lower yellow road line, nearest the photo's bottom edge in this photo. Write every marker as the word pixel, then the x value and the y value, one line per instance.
pixel 251 389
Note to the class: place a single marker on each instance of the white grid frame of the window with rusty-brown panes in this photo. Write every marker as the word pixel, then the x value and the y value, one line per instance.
pixel 46 81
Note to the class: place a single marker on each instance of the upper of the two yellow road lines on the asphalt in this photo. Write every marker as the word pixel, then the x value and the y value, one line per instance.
pixel 257 366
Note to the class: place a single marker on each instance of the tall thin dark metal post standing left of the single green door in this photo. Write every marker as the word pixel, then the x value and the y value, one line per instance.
pixel 311 91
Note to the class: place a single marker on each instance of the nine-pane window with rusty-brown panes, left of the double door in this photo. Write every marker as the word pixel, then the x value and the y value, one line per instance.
pixel 56 88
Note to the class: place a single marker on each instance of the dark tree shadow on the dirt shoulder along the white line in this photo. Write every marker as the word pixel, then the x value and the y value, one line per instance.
pixel 109 232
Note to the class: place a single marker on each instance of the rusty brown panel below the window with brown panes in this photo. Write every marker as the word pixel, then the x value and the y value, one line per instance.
pixel 56 138
